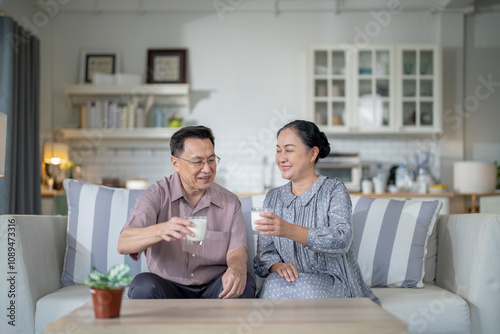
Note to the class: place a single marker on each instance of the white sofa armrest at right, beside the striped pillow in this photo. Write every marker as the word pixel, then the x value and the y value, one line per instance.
pixel 467 264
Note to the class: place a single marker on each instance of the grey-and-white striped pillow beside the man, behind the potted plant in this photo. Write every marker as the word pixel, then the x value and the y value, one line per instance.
pixel 96 215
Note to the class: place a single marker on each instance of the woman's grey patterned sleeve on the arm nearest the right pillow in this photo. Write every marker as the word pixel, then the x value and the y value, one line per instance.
pixel 335 238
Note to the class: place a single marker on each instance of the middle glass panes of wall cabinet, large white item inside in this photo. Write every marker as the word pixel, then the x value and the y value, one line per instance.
pixel 374 94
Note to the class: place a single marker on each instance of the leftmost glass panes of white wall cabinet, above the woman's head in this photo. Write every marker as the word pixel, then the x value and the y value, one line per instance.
pixel 330 87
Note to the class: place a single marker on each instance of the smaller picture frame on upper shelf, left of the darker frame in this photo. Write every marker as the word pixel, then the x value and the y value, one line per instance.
pixel 98 61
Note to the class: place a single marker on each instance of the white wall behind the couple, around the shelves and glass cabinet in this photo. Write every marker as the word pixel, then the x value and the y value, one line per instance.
pixel 243 71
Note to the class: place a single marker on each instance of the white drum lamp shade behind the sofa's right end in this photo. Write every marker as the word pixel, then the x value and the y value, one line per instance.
pixel 474 177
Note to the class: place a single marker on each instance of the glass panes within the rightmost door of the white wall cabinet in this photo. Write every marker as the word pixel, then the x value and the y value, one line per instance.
pixel 418 83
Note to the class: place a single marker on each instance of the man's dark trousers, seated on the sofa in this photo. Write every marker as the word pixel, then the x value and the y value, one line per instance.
pixel 152 286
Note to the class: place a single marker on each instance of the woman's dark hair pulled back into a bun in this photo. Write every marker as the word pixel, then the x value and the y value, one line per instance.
pixel 310 135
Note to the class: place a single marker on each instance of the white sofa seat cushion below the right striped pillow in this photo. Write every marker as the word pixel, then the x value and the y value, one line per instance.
pixel 429 310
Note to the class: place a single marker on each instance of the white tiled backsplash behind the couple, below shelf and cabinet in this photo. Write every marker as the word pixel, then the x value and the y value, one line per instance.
pixel 247 161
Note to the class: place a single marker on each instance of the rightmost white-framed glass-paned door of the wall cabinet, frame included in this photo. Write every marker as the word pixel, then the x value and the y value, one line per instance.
pixel 419 104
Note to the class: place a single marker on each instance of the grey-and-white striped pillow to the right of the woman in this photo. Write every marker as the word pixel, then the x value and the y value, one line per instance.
pixel 390 239
